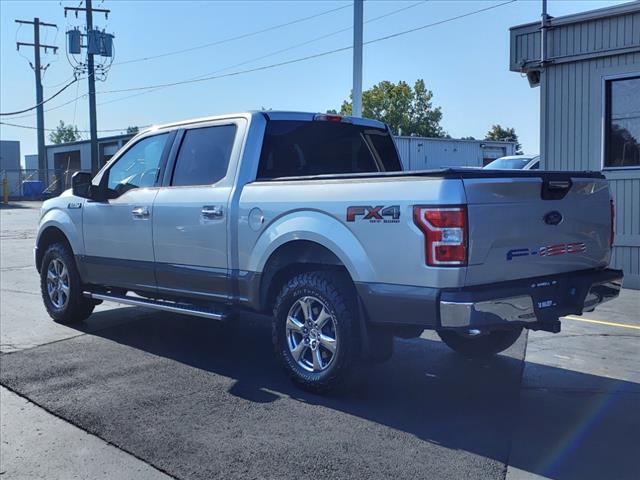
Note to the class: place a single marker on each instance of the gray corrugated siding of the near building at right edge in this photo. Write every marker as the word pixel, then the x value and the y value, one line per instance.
pixel 572 112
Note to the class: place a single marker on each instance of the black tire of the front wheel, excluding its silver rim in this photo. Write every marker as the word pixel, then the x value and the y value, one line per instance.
pixel 77 307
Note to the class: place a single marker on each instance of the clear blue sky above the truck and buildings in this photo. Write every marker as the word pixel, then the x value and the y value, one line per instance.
pixel 464 62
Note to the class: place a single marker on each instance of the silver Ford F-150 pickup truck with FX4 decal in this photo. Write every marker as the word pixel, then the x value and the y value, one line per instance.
pixel 310 219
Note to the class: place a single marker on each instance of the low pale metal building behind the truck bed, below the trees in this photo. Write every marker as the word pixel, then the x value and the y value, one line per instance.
pixel 423 153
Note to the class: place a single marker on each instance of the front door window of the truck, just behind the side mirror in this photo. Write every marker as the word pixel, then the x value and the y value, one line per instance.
pixel 138 166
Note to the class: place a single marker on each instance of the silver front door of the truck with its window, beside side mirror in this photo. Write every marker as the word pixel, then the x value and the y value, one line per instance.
pixel 117 232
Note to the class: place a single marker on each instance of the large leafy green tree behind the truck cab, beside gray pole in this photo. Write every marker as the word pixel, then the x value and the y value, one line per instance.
pixel 403 108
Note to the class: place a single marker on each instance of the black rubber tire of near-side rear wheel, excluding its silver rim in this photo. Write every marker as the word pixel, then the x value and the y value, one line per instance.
pixel 338 295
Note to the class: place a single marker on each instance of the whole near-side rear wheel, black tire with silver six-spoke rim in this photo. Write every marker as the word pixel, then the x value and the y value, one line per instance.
pixel 315 329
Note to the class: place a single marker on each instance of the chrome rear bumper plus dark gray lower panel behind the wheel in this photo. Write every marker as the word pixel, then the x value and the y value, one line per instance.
pixel 535 303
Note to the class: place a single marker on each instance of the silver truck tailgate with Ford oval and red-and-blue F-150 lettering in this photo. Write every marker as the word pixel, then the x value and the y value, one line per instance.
pixel 531 226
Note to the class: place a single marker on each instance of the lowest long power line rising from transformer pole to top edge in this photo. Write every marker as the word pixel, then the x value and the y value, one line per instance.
pixel 307 57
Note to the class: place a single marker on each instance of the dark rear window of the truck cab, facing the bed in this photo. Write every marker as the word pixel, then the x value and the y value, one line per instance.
pixel 299 148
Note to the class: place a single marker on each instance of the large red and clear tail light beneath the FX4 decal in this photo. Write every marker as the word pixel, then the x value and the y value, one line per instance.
pixel 445 234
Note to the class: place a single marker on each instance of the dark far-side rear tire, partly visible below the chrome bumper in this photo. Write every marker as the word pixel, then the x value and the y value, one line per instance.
pixel 483 345
